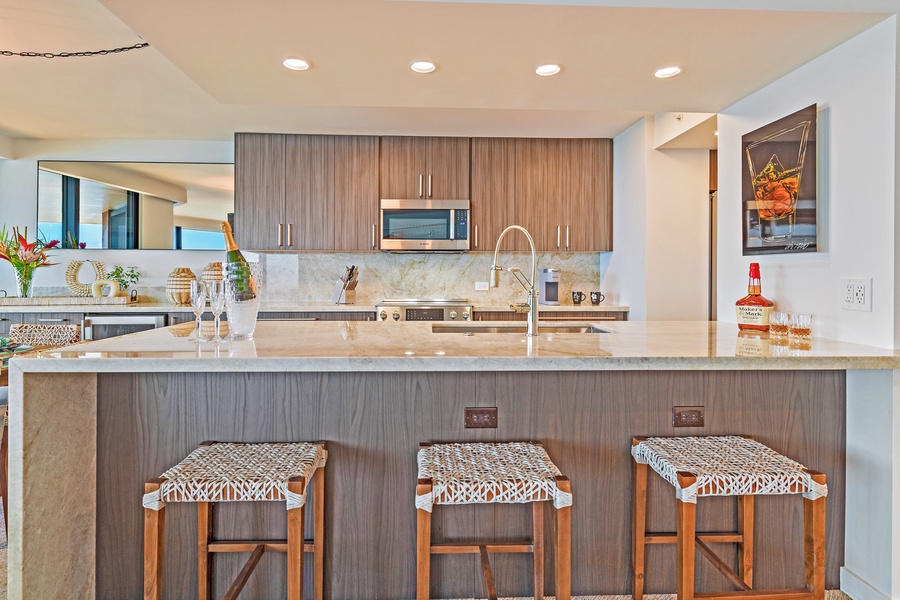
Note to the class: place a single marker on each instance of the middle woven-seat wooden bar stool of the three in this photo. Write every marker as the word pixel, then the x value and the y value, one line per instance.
pixel 482 473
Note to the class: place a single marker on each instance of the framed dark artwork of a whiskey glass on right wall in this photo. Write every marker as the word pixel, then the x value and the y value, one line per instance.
pixel 779 186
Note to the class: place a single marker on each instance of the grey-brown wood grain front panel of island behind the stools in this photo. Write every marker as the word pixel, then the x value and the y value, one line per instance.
pixel 373 423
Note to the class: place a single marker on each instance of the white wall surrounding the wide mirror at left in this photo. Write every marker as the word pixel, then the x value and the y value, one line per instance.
pixel 18 200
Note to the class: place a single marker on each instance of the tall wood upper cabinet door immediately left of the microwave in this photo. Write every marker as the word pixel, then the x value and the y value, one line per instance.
pixel 355 192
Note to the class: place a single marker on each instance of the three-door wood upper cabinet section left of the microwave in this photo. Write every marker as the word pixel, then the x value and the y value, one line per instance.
pixel 305 192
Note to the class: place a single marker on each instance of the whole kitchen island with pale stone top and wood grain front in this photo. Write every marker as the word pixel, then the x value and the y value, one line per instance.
pixel 90 424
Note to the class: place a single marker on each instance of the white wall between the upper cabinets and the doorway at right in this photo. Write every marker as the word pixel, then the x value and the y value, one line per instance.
pixel 659 266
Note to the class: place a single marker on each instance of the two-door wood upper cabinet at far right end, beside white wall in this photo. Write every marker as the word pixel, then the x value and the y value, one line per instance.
pixel 564 193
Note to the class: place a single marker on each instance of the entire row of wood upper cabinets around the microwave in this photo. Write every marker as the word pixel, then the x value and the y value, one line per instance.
pixel 321 192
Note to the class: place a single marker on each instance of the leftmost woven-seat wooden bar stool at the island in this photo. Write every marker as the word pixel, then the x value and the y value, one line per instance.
pixel 235 472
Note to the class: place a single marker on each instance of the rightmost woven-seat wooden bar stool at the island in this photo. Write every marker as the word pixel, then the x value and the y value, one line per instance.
pixel 725 466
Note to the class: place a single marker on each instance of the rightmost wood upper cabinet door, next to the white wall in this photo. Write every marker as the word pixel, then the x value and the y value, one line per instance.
pixel 587 195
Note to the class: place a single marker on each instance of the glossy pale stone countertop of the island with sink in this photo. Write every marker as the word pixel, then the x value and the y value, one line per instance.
pixel 282 346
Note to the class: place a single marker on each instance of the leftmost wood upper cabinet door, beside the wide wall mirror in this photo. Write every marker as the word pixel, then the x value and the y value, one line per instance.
pixel 259 191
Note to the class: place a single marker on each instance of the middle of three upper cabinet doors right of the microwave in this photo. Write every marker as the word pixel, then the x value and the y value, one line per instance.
pixel 538 193
